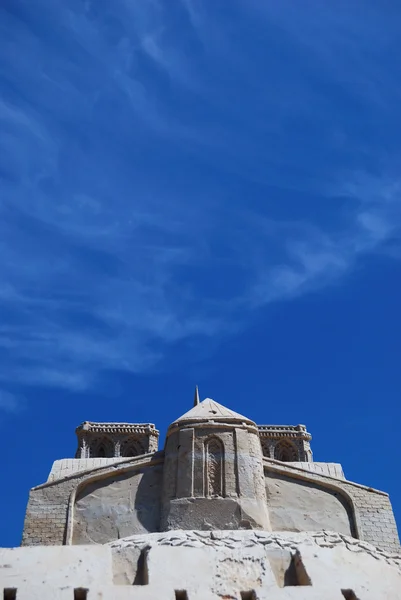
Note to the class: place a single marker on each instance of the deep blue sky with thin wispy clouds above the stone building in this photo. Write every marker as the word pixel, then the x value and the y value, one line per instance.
pixel 199 192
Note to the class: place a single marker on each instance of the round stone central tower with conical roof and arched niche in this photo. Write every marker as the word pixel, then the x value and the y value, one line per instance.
pixel 213 473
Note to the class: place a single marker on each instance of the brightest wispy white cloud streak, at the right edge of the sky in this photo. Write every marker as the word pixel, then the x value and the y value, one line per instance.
pixel 316 258
